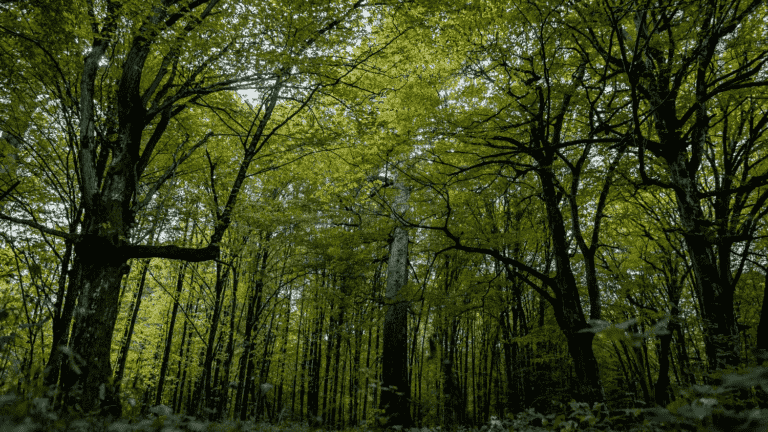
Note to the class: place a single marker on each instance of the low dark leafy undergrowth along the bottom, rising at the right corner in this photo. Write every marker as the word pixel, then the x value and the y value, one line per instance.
pixel 737 405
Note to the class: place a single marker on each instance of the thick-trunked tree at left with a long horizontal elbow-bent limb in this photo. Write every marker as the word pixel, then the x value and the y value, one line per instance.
pixel 144 65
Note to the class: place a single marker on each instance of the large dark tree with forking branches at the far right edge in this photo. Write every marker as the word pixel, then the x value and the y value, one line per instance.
pixel 695 130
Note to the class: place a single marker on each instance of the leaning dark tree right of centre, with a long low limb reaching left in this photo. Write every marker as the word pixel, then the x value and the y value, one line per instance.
pixel 538 124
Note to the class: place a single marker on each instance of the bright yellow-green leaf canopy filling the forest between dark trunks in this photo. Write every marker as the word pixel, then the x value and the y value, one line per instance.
pixel 445 94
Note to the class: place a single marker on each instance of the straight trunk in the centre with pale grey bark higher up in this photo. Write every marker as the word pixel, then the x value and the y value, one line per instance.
pixel 396 389
